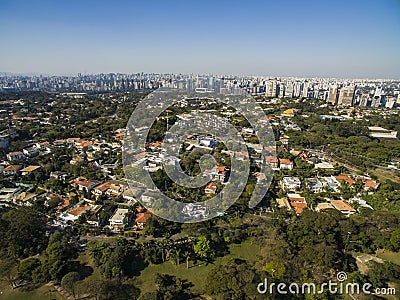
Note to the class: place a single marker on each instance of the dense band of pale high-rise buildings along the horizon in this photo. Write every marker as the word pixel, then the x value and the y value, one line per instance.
pixel 342 92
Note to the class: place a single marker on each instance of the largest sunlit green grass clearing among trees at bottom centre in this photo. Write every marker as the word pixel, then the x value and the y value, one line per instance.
pixel 196 274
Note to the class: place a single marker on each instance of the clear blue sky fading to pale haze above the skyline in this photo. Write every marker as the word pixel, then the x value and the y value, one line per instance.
pixel 350 38
